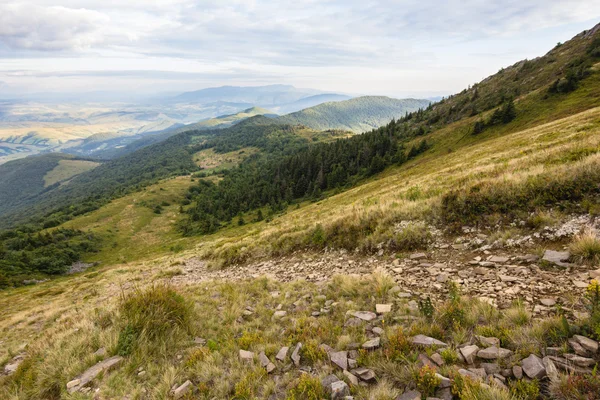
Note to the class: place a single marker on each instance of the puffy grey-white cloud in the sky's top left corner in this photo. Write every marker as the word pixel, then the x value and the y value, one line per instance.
pixel 34 27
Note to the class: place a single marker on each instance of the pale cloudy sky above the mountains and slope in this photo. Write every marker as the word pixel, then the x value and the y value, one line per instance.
pixel 399 48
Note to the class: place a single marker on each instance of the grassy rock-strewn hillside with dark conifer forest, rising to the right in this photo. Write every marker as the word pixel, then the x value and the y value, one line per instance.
pixel 452 253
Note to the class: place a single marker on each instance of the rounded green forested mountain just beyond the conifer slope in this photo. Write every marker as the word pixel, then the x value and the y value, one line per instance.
pixel 357 115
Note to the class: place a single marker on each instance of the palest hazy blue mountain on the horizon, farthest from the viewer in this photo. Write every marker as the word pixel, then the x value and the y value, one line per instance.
pixel 264 96
